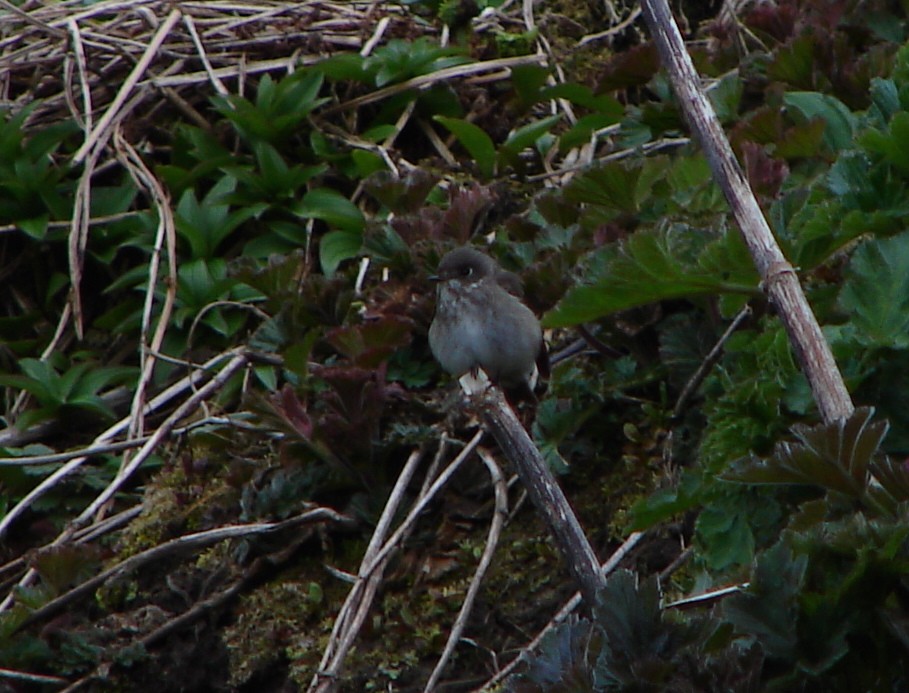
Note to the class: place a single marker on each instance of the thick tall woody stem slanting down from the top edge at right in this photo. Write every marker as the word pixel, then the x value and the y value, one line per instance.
pixel 778 277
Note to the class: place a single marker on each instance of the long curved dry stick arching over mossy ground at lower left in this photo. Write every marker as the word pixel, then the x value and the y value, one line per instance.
pixel 177 546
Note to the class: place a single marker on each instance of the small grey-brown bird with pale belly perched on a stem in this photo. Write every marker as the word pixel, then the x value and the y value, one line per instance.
pixel 481 322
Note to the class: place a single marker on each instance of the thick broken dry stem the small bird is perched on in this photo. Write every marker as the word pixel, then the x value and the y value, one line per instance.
pixel 543 489
